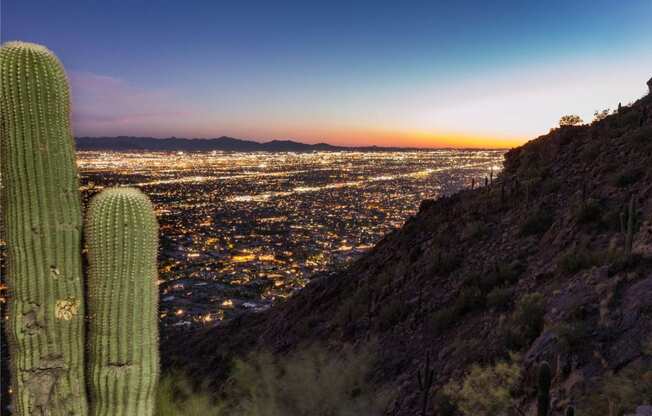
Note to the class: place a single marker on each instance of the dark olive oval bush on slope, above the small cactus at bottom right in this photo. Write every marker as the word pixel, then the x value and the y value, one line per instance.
pixel 526 322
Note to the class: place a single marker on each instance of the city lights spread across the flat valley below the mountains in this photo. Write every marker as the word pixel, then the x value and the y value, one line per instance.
pixel 242 230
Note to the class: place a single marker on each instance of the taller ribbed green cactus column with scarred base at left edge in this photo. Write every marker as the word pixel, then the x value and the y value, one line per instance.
pixel 42 224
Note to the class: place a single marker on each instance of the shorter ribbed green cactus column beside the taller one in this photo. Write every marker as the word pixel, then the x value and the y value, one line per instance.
pixel 122 298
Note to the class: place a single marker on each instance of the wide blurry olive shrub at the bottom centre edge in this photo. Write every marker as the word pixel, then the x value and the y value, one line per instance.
pixel 310 382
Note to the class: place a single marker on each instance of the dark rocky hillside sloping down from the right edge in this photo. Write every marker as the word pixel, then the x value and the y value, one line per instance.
pixel 451 279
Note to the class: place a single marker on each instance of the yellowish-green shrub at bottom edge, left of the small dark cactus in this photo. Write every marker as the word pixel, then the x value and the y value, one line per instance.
pixel 486 391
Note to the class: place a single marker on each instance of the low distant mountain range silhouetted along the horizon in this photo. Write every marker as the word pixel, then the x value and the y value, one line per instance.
pixel 126 143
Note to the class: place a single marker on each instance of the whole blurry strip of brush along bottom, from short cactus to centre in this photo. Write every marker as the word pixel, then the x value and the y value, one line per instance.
pixel 311 381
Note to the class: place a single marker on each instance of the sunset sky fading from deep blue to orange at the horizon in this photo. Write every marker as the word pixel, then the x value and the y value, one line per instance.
pixel 402 73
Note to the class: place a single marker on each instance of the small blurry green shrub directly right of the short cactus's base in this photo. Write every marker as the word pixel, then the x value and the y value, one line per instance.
pixel 176 396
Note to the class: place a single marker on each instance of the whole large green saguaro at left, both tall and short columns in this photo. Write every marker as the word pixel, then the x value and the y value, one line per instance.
pixel 42 227
